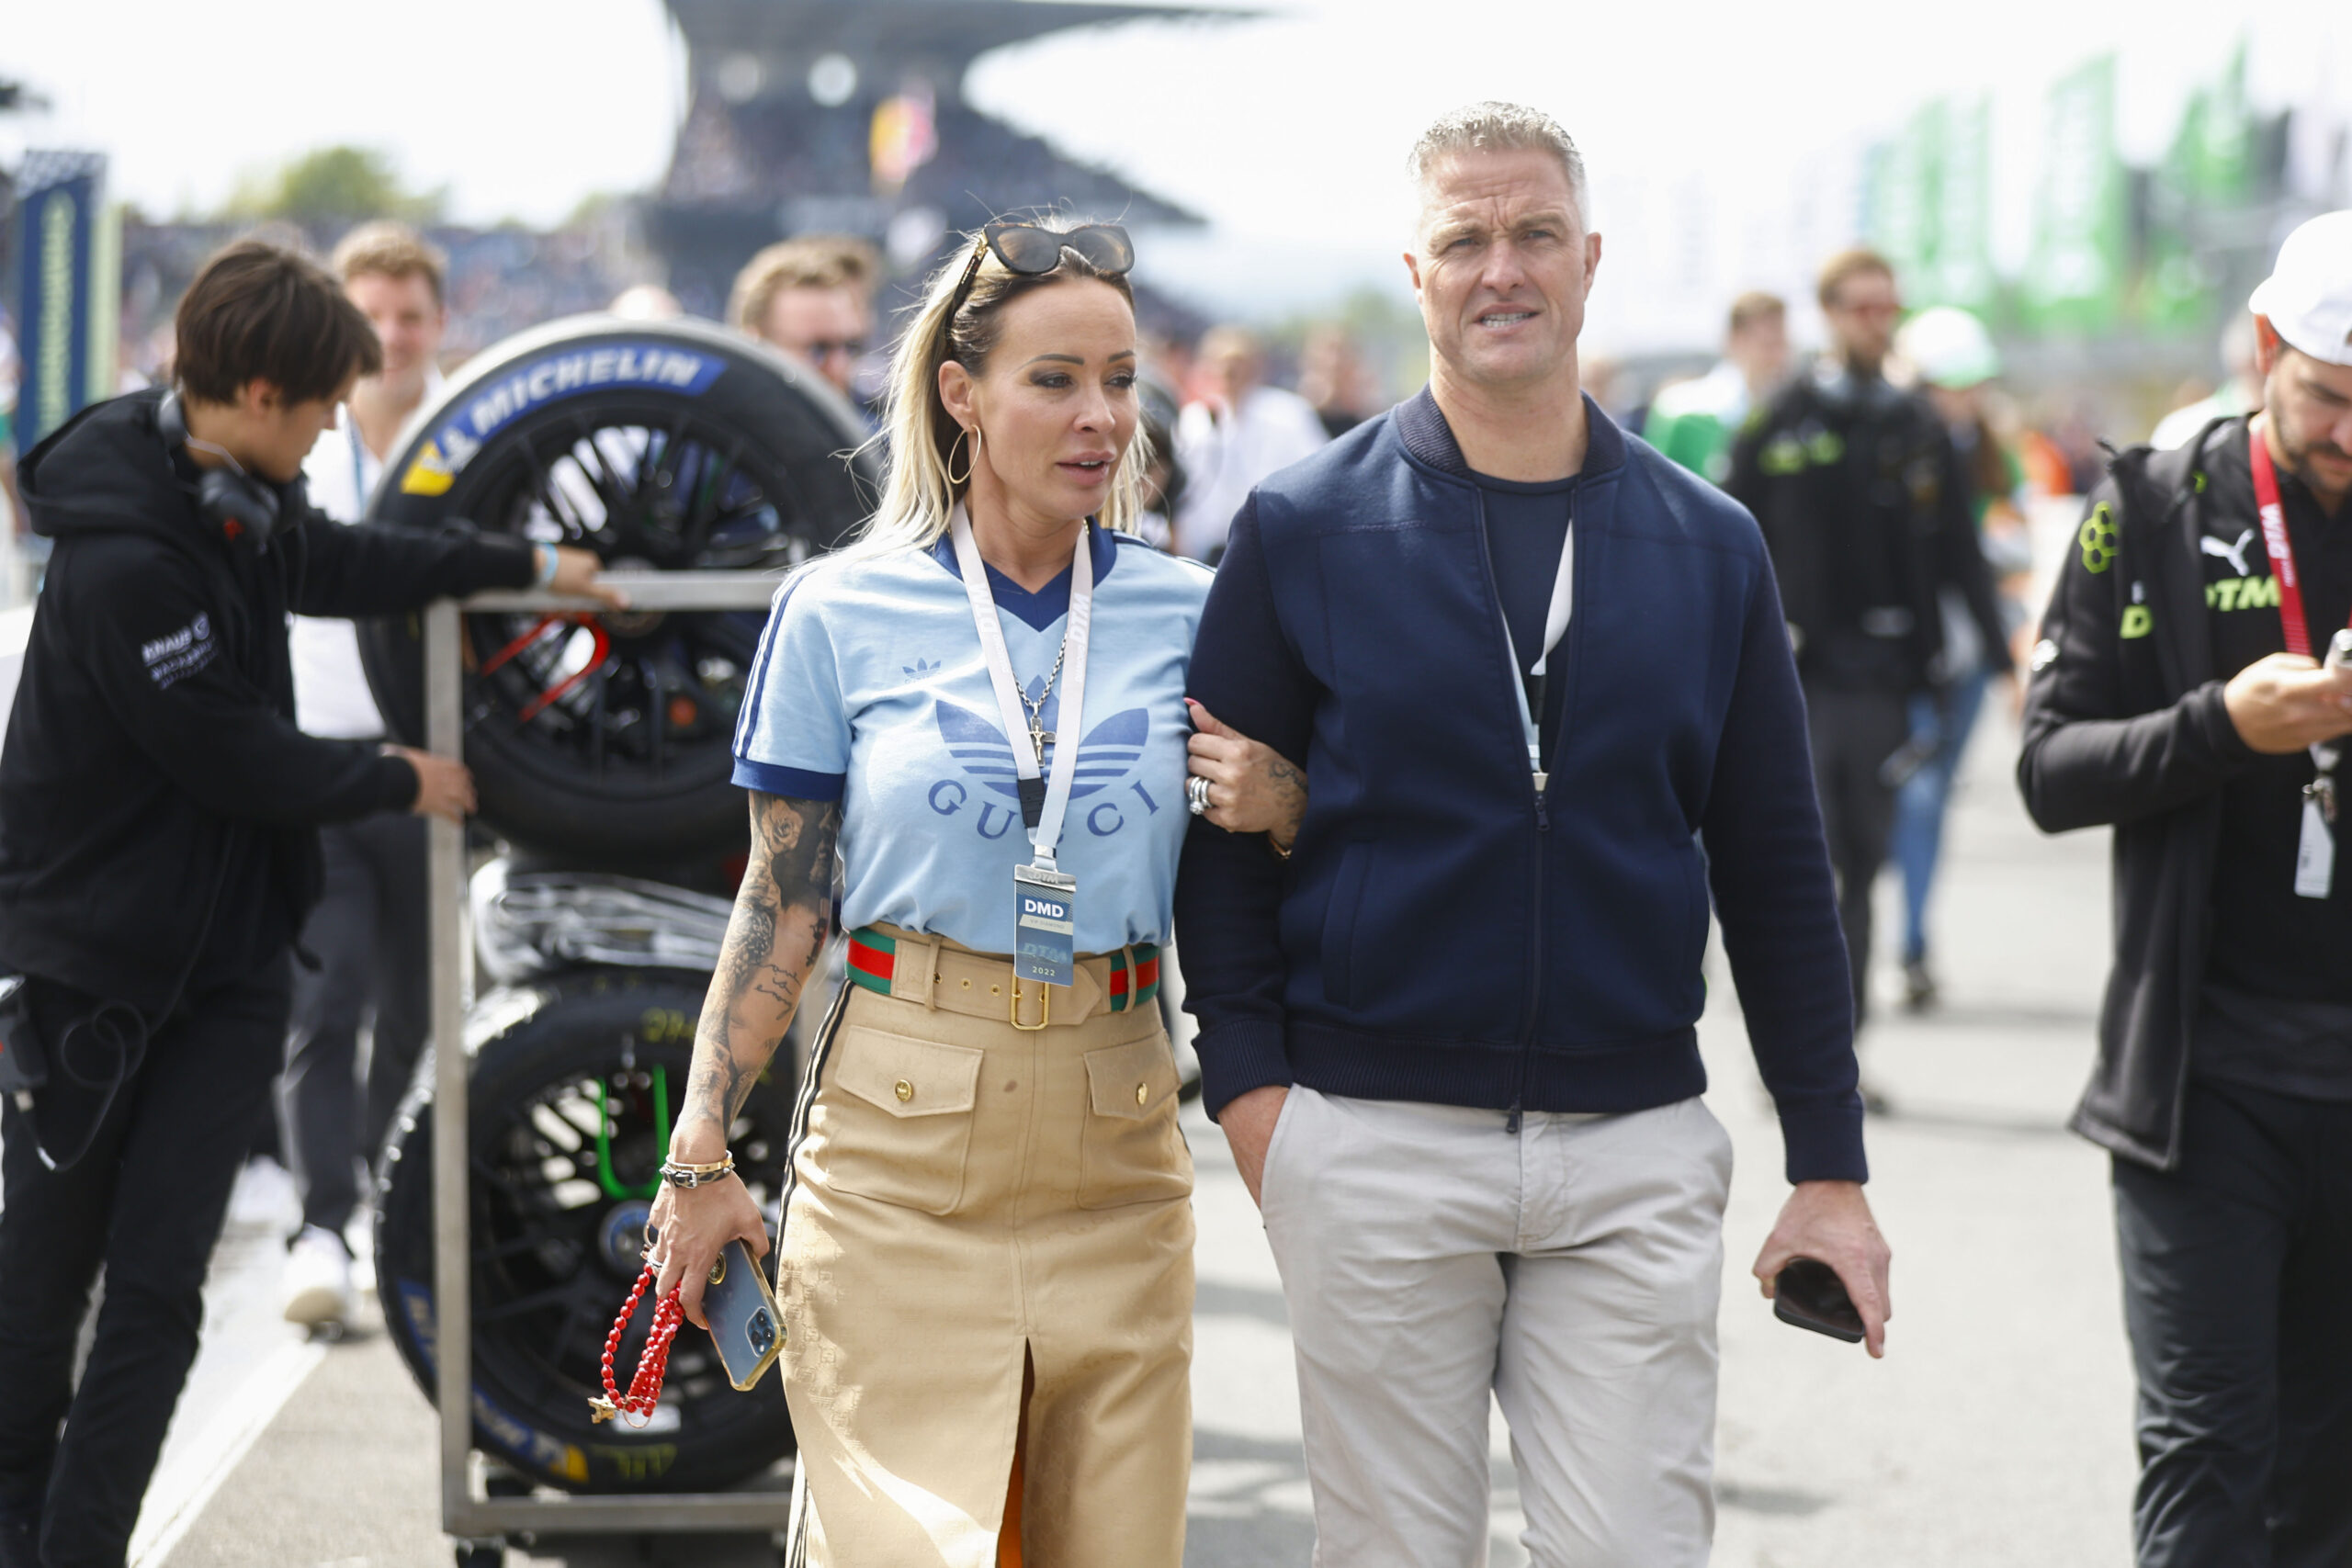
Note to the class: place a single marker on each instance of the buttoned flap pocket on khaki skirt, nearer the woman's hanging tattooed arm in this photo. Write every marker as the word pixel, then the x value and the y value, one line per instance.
pixel 900 1130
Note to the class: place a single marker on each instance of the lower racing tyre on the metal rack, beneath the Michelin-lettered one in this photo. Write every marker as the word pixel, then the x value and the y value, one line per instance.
pixel 573 1092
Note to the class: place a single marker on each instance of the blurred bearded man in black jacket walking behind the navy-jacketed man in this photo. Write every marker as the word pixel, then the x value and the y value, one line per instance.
pixel 1866 514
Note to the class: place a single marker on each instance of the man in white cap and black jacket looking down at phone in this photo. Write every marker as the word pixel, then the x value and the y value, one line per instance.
pixel 2177 697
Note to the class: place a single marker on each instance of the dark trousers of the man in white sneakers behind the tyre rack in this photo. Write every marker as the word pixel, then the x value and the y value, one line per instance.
pixel 373 946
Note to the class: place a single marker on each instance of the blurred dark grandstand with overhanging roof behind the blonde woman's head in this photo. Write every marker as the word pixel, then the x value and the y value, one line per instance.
pixel 796 107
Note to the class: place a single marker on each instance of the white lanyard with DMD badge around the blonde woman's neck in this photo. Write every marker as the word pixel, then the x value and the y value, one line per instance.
pixel 1045 897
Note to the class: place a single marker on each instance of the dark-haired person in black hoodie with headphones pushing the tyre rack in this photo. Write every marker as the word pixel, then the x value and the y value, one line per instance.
pixel 159 850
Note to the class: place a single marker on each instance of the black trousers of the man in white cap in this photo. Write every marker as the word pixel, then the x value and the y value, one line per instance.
pixel 2238 1292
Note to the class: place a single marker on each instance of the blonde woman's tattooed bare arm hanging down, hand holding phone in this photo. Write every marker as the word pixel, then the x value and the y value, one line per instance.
pixel 775 937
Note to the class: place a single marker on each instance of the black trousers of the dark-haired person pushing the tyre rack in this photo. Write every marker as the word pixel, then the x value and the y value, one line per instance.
pixel 147 1205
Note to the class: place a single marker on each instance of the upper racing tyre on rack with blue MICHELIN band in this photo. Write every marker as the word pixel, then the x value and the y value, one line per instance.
pixel 660 445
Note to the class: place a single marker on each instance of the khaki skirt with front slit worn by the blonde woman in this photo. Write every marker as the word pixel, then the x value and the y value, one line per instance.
pixel 970 1198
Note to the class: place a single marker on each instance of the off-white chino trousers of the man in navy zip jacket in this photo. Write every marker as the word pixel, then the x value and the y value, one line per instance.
pixel 1572 1268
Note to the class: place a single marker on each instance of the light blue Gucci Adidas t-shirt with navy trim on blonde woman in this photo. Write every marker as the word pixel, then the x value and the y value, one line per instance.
pixel 871 690
